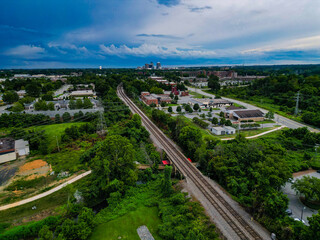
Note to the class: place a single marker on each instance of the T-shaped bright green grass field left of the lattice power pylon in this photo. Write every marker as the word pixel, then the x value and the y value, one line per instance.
pixel 55 130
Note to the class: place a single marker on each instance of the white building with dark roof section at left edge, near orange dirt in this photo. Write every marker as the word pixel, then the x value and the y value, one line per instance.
pixel 10 149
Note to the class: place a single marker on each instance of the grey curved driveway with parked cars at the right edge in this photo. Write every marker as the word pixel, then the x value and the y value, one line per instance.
pixel 294 202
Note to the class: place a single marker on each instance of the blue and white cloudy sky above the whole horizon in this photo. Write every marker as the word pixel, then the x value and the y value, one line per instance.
pixel 130 33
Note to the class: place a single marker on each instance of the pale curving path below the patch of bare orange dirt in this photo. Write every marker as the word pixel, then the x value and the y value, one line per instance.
pixel 5 207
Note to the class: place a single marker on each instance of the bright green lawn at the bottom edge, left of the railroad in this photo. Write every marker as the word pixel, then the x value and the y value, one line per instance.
pixel 126 226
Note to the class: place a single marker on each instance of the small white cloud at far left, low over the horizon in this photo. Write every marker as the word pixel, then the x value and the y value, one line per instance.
pixel 26 51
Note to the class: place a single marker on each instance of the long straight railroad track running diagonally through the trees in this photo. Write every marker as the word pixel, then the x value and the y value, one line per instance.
pixel 240 227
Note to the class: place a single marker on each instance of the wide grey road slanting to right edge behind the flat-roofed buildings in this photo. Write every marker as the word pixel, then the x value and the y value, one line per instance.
pixel 280 119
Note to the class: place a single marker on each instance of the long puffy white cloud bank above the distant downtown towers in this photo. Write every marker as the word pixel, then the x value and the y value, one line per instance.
pixel 156 50
